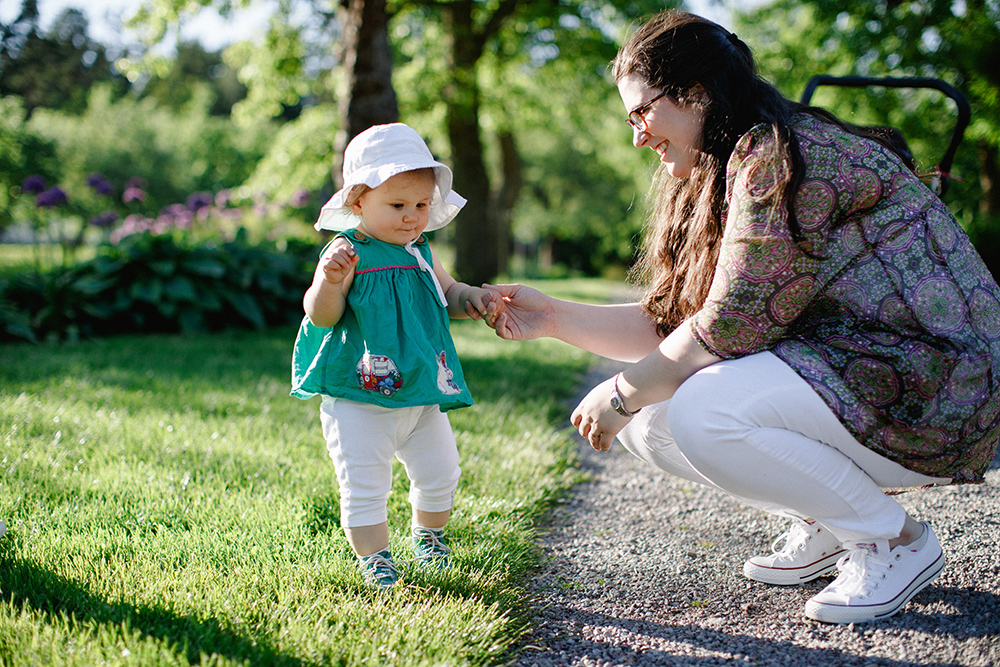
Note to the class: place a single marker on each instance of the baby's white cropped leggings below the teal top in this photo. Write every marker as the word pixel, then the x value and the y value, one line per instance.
pixel 363 439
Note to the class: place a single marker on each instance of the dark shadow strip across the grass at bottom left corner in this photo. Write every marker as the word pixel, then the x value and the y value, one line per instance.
pixel 29 586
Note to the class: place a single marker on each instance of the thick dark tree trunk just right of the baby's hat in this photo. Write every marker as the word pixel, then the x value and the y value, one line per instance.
pixel 476 237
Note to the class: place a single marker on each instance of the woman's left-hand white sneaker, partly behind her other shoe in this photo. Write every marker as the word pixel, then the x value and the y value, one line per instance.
pixel 810 551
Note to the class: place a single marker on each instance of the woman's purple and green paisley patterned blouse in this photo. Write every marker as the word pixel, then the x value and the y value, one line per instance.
pixel 892 318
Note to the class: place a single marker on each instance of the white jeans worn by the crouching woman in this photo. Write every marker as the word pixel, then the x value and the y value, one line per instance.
pixel 756 430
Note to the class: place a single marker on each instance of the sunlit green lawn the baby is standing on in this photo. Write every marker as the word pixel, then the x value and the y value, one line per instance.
pixel 169 504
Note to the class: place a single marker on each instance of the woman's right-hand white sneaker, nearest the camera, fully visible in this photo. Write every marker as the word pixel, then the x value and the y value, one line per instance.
pixel 875 582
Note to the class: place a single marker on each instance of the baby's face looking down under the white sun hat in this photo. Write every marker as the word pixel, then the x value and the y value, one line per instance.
pixel 398 210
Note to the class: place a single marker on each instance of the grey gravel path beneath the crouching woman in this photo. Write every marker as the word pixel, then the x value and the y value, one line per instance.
pixel 643 568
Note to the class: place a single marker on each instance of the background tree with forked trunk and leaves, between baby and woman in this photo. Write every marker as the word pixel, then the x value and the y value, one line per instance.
pixel 472 31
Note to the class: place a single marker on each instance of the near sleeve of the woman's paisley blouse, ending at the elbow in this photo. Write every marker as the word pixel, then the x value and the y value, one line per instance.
pixel 764 279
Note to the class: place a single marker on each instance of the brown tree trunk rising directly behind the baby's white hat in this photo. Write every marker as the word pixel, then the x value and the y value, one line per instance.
pixel 369 98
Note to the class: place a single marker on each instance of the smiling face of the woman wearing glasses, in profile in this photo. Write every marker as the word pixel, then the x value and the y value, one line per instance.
pixel 673 131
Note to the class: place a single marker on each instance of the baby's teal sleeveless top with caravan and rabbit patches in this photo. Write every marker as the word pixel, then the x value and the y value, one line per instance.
pixel 392 347
